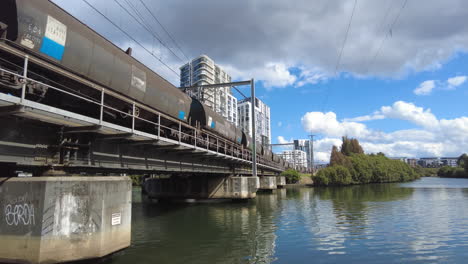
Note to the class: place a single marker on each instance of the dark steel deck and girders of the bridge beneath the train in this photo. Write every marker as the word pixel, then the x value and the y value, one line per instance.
pixel 166 154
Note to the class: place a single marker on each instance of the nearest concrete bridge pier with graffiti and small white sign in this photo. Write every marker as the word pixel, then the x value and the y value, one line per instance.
pixel 59 219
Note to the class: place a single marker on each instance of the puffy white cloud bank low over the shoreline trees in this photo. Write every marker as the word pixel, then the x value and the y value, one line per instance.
pixel 431 137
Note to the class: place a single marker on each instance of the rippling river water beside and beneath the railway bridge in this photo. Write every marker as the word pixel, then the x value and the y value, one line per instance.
pixel 425 221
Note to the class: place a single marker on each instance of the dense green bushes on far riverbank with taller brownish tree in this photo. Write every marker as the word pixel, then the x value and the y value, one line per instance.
pixel 350 165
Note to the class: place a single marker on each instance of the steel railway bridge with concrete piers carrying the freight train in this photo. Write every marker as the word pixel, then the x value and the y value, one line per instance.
pixel 64 195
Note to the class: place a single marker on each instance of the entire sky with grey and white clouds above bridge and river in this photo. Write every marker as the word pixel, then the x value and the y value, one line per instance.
pixel 391 73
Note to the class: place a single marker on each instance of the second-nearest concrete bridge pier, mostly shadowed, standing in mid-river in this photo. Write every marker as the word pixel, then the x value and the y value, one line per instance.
pixel 201 187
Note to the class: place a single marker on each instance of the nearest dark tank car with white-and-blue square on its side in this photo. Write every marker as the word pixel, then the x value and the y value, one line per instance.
pixel 47 31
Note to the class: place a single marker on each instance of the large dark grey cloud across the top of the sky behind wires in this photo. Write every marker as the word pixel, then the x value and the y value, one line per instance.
pixel 299 35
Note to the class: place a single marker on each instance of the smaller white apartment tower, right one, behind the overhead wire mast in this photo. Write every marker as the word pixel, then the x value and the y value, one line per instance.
pixel 262 118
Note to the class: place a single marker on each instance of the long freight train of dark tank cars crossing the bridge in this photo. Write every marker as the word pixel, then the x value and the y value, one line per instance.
pixel 44 31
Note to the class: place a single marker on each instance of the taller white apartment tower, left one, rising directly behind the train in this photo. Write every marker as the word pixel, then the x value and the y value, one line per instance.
pixel 201 71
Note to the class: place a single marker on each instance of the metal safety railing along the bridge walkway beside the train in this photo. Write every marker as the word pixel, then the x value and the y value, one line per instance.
pixel 183 133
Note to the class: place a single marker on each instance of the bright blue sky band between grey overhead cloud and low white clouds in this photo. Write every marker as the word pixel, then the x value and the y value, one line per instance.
pixel 351 97
